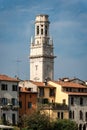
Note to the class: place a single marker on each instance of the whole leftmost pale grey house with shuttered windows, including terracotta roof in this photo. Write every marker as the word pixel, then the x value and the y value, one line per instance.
pixel 9 99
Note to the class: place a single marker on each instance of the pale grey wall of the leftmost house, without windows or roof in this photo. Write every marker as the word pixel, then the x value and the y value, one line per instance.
pixel 9 94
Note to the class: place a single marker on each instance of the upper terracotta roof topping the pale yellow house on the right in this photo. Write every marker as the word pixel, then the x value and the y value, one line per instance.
pixel 70 84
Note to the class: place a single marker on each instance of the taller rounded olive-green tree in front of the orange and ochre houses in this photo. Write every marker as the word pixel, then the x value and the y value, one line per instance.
pixel 38 121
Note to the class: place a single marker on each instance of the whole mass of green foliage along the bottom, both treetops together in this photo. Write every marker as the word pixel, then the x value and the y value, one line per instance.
pixel 38 121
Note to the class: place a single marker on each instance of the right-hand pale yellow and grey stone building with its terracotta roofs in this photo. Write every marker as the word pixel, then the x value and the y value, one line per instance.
pixel 74 95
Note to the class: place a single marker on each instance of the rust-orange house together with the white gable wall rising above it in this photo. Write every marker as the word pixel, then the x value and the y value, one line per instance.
pixel 27 98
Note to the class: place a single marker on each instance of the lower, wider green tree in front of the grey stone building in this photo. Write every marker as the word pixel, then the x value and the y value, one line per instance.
pixel 64 125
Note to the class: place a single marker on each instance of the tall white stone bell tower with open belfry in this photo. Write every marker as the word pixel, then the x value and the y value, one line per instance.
pixel 41 51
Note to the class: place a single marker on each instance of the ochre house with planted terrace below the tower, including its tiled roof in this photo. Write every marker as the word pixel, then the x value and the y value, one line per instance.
pixel 46 101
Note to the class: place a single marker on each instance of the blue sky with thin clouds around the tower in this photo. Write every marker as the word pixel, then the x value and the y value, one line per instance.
pixel 68 28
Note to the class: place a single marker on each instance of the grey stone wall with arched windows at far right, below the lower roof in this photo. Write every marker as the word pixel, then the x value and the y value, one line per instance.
pixel 76 108
